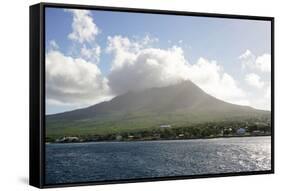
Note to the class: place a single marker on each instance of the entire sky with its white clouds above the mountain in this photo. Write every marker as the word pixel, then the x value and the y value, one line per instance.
pixel 93 56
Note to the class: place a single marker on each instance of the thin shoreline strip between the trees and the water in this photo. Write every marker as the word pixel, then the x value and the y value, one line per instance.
pixel 149 140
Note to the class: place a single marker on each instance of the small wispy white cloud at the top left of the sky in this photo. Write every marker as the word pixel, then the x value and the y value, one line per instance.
pixel 83 27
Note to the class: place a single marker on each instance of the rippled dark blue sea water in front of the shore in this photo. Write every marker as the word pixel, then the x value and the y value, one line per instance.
pixel 99 161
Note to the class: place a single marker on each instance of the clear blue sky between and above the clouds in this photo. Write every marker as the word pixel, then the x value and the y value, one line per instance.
pixel 222 40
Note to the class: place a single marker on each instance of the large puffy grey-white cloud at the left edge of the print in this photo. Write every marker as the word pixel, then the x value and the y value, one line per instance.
pixel 73 81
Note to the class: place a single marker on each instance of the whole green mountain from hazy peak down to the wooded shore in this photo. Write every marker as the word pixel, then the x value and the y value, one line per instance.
pixel 184 108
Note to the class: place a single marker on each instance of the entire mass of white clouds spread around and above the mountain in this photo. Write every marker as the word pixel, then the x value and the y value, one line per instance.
pixel 76 79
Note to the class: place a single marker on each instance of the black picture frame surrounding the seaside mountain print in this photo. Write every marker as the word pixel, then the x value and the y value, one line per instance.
pixel 37 92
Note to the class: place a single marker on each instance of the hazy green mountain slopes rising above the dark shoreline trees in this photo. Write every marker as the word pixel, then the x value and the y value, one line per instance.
pixel 182 104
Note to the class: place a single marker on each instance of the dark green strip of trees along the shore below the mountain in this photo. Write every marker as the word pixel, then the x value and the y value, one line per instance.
pixel 252 127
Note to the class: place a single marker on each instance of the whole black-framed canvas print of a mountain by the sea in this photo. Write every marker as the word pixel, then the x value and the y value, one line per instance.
pixel 128 95
